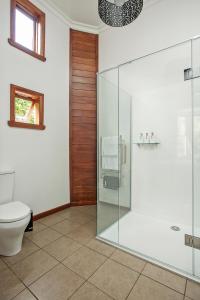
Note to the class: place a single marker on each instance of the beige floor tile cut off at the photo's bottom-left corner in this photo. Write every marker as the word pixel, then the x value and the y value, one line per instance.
pixel 10 285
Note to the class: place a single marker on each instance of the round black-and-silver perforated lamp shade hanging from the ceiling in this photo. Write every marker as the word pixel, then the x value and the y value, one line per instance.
pixel 116 15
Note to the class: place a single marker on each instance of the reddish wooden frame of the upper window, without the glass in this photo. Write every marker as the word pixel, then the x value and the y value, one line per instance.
pixel 38 17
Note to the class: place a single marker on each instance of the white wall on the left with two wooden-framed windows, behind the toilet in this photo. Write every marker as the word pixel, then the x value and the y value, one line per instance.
pixel 40 158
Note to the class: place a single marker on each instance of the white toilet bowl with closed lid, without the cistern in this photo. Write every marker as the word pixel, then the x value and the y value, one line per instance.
pixel 14 218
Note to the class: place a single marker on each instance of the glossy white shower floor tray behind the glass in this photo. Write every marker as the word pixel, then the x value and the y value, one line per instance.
pixel 152 238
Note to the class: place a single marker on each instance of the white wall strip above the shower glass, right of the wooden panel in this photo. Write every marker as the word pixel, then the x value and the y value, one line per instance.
pixel 160 25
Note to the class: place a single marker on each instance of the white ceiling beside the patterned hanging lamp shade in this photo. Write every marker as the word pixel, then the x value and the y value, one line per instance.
pixel 80 11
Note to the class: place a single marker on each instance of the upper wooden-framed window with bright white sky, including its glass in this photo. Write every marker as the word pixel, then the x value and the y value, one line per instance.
pixel 27 28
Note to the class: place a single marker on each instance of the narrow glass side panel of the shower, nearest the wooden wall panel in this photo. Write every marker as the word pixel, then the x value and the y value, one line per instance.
pixel 108 159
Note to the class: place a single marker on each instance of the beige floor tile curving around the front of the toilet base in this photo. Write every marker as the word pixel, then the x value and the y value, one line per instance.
pixel 28 247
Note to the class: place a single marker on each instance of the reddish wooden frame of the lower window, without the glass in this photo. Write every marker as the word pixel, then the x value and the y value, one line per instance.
pixel 28 95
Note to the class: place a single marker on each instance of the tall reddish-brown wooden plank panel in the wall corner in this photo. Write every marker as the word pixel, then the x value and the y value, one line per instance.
pixel 83 120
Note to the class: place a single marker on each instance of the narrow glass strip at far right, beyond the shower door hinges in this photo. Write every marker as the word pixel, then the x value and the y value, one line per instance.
pixel 196 149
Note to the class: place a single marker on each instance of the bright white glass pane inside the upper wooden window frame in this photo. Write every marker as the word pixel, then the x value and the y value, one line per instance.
pixel 24 30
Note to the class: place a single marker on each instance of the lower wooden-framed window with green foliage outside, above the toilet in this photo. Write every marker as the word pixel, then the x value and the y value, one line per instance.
pixel 26 108
